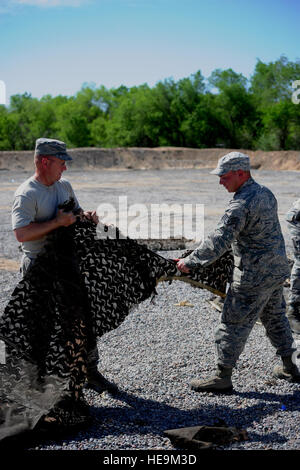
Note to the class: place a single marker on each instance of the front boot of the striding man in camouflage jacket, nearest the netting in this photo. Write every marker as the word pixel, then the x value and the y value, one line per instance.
pixel 218 383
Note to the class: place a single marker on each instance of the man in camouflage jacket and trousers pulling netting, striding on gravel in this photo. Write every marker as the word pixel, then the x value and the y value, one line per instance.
pixel 250 226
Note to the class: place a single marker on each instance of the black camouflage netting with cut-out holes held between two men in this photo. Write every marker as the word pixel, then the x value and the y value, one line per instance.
pixel 80 287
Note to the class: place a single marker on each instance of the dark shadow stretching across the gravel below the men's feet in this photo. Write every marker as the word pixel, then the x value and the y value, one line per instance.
pixel 144 416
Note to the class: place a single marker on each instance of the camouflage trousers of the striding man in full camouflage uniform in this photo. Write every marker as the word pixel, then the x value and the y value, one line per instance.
pixel 242 308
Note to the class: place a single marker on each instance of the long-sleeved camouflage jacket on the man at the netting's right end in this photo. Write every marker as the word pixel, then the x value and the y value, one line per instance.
pixel 250 226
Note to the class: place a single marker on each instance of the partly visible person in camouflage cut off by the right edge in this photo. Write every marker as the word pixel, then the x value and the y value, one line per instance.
pixel 293 313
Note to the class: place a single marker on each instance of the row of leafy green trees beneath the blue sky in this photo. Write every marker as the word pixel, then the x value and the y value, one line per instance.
pixel 226 110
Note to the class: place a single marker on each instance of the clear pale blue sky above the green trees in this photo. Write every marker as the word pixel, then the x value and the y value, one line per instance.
pixel 55 46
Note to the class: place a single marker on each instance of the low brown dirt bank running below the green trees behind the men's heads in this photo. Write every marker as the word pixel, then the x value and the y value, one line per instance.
pixel 154 158
